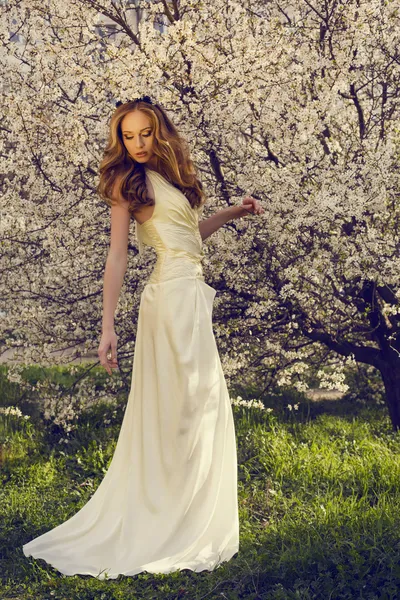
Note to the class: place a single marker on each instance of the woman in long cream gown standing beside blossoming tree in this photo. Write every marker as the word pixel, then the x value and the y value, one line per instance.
pixel 169 498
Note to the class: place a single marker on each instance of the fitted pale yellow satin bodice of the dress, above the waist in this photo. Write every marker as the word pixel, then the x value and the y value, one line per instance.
pixel 173 231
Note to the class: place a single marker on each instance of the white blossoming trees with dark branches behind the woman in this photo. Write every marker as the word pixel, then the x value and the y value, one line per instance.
pixel 294 102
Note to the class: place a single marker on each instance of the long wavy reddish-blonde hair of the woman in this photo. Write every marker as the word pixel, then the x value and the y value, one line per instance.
pixel 122 176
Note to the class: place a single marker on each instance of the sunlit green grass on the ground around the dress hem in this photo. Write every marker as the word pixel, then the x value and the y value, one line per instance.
pixel 319 501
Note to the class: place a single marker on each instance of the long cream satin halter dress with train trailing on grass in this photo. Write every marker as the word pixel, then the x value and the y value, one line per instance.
pixel 168 500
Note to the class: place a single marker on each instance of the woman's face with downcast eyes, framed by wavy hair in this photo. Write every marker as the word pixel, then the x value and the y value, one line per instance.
pixel 138 136
